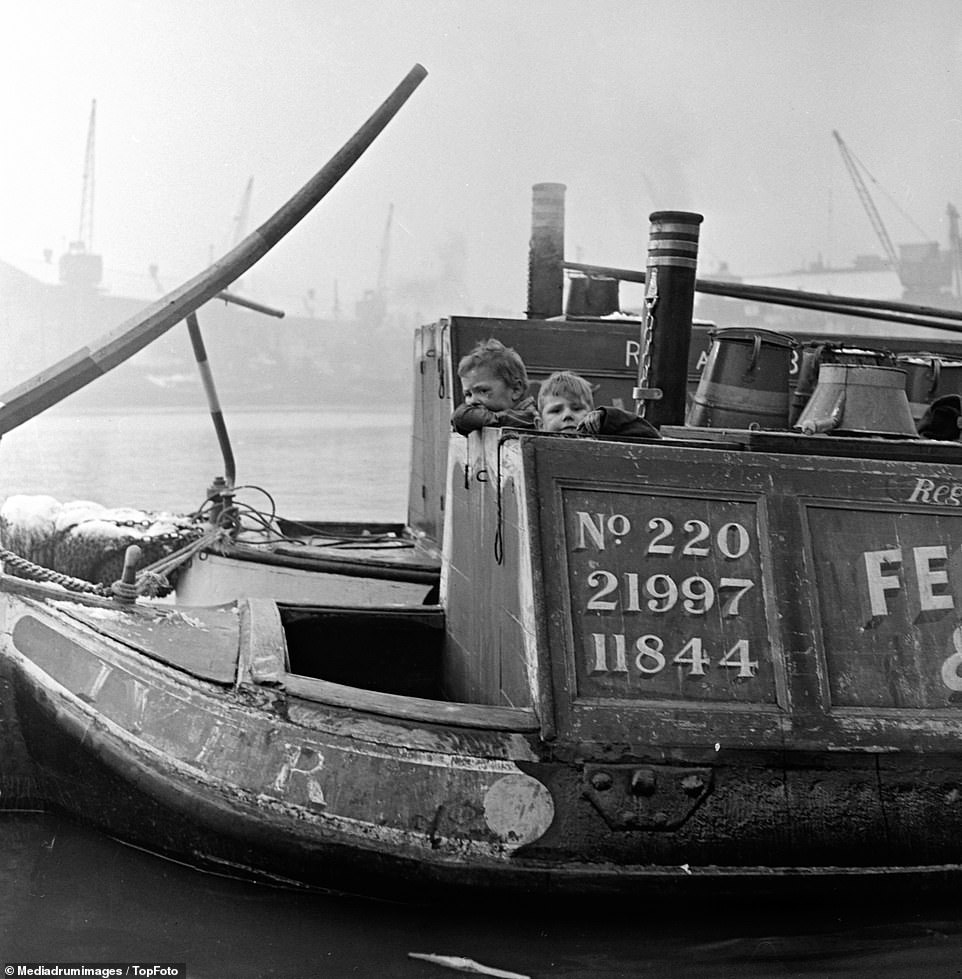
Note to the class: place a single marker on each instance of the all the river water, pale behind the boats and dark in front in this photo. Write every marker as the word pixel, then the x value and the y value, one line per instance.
pixel 71 895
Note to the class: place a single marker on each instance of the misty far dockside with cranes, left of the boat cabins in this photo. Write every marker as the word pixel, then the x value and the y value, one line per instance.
pixel 300 360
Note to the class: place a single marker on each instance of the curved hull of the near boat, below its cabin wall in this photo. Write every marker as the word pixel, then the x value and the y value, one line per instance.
pixel 252 778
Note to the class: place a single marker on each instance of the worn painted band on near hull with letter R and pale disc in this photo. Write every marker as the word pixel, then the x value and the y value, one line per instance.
pixel 437 801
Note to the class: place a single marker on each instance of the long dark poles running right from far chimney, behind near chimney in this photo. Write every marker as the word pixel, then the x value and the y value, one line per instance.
pixel 908 314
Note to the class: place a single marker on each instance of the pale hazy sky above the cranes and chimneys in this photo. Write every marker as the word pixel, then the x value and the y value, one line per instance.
pixel 725 107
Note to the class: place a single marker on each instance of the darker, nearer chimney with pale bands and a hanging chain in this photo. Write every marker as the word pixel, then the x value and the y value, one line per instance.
pixel 669 303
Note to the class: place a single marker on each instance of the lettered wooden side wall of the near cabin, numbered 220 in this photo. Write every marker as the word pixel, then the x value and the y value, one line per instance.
pixel 852 616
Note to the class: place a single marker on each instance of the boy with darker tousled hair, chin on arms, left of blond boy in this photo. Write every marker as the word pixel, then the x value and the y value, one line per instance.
pixel 495 384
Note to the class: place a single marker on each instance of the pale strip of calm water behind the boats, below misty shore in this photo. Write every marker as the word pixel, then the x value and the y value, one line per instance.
pixel 349 464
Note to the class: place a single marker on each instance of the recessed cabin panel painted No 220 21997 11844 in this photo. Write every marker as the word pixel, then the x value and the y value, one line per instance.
pixel 666 597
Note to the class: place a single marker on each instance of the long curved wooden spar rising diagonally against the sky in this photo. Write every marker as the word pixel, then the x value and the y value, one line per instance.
pixel 85 365
